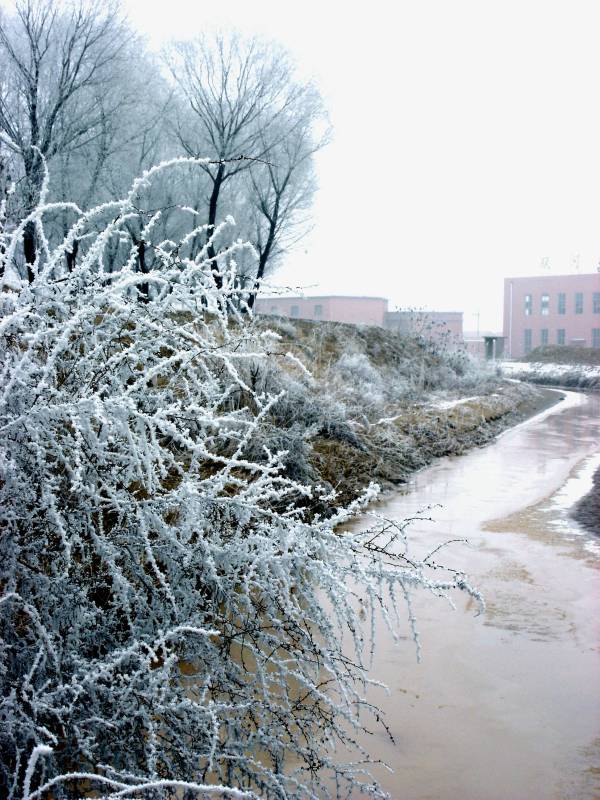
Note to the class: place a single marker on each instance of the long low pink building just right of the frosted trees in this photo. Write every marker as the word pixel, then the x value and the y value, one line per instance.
pixel 330 308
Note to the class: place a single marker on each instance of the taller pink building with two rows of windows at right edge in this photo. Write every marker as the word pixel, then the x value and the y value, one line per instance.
pixel 551 310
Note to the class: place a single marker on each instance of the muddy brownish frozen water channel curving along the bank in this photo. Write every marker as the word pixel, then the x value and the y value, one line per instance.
pixel 506 705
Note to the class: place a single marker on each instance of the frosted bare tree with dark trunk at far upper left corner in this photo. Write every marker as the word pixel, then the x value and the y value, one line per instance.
pixel 59 68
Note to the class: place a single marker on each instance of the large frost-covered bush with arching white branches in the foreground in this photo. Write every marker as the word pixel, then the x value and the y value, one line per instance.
pixel 163 600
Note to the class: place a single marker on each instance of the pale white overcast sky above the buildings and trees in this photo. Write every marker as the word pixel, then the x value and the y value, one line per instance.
pixel 466 140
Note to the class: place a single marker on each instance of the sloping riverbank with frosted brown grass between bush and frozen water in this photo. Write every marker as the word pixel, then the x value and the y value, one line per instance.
pixel 378 406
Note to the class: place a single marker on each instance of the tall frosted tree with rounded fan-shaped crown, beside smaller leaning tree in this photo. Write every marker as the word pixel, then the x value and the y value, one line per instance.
pixel 240 95
